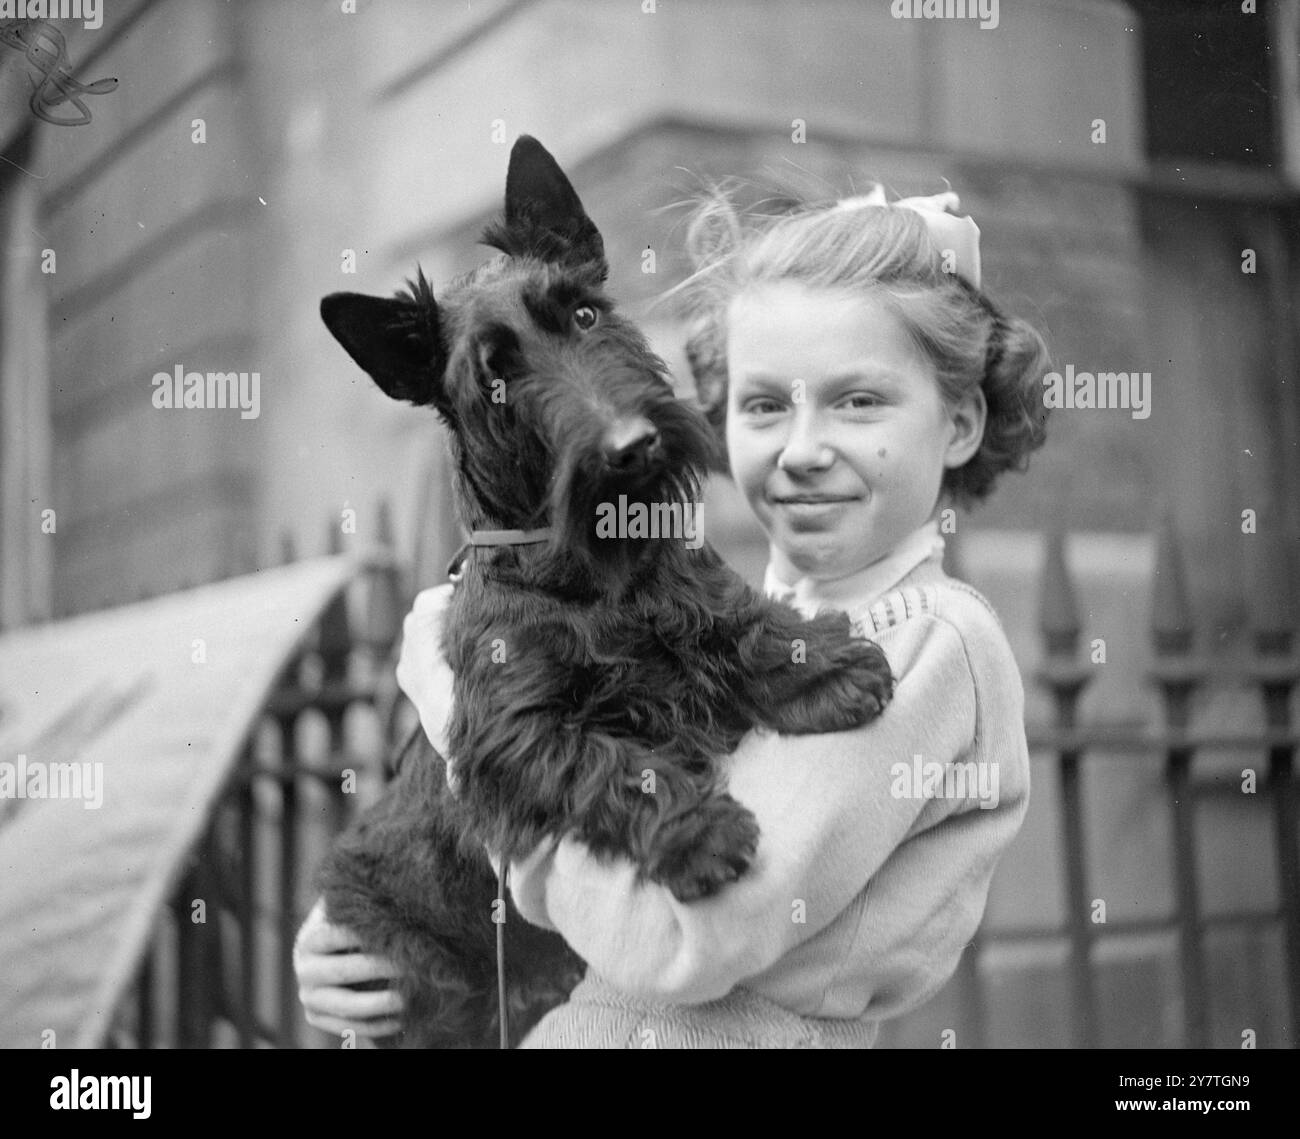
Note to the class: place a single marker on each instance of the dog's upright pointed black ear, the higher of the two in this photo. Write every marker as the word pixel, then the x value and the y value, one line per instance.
pixel 544 215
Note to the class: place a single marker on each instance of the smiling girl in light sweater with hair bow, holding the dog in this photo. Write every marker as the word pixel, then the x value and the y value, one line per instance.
pixel 864 384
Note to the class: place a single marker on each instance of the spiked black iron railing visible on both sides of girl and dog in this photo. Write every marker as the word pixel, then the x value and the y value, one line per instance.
pixel 229 980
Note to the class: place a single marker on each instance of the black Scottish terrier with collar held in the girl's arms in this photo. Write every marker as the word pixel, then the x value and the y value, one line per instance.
pixel 599 678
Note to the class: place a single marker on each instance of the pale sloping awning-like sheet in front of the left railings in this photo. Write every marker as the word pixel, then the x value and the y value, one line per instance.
pixel 145 709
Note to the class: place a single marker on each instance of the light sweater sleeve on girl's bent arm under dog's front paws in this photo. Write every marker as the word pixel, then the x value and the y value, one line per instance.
pixel 830 817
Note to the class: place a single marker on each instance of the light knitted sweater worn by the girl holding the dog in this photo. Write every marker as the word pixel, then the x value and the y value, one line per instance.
pixel 873 869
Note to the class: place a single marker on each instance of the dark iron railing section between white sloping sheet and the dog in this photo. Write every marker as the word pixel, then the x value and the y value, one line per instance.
pixel 224 975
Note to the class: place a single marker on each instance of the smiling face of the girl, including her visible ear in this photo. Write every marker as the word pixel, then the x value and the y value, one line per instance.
pixel 835 426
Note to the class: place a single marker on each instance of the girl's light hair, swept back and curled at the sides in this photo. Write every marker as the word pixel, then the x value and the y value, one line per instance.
pixel 889 255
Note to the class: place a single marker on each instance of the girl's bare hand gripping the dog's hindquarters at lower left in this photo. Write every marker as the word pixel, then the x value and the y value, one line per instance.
pixel 327 960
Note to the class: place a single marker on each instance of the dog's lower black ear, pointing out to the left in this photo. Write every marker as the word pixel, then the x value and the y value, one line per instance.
pixel 397 341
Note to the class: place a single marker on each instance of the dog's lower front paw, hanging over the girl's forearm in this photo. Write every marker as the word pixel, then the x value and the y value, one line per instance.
pixel 699 854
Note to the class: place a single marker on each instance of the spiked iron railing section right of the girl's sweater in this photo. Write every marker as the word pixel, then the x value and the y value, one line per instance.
pixel 1178 675
